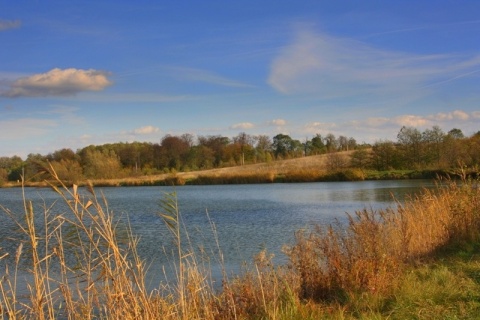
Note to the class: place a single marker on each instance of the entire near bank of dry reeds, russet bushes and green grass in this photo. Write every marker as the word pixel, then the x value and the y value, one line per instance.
pixel 417 260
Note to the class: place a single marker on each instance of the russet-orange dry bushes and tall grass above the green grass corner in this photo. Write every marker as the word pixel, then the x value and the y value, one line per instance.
pixel 370 253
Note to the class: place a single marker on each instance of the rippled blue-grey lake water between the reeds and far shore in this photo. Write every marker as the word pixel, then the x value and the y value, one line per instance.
pixel 247 218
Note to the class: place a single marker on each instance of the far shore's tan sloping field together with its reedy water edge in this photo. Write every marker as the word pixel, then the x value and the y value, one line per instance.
pixel 306 169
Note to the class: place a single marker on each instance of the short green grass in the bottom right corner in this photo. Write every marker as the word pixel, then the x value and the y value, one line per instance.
pixel 440 289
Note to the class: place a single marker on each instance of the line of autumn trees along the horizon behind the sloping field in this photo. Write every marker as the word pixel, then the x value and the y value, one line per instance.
pixel 413 149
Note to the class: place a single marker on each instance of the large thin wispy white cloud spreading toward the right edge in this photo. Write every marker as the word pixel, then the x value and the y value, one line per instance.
pixel 333 67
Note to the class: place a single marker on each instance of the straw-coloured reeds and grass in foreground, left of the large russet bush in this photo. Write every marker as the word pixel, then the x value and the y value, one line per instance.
pixel 78 268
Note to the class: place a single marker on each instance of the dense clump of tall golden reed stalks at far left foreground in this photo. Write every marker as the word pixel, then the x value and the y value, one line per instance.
pixel 106 279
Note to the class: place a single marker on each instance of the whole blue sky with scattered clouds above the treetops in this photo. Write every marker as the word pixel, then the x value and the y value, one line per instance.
pixel 75 73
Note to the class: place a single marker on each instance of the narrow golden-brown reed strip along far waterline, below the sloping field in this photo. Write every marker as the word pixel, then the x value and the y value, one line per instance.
pixel 254 175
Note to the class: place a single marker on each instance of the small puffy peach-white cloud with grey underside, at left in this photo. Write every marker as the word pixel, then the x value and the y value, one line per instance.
pixel 58 82
